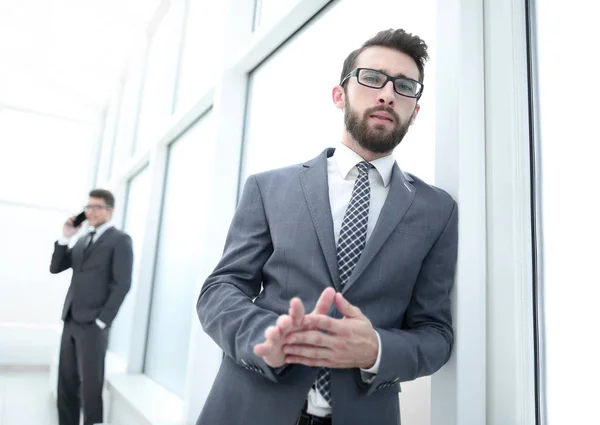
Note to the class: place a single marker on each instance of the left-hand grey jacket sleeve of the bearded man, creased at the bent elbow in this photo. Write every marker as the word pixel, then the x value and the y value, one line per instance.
pixel 225 305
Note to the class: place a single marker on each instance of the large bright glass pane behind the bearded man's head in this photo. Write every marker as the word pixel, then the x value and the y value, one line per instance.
pixel 284 130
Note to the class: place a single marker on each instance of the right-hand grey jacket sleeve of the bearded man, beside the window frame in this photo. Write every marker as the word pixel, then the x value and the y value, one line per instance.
pixel 424 343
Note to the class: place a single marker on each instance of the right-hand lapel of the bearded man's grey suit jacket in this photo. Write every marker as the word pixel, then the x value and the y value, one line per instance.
pixel 399 199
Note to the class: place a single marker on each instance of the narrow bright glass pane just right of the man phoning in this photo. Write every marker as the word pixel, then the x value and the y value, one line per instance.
pixel 138 190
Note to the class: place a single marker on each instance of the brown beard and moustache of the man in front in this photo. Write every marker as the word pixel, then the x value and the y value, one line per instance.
pixel 377 139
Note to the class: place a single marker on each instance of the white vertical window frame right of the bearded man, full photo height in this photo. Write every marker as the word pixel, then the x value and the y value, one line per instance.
pixel 511 366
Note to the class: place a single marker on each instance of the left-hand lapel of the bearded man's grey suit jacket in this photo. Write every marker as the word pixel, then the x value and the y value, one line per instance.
pixel 316 191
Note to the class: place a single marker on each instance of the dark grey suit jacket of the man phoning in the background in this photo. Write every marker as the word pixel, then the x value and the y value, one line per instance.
pixel 101 276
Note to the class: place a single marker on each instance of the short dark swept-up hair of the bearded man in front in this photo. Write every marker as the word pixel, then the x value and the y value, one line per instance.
pixel 399 40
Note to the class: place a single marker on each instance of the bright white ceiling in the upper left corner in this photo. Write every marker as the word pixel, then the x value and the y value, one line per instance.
pixel 65 57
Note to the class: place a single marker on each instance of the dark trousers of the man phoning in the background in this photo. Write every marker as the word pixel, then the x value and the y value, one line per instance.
pixel 81 373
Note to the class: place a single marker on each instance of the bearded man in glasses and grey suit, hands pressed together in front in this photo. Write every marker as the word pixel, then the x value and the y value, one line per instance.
pixel 369 249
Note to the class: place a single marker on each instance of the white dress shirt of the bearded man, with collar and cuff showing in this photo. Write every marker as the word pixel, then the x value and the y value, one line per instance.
pixel 341 176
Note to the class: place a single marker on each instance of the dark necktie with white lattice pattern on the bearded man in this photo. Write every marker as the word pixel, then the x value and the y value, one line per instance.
pixel 352 240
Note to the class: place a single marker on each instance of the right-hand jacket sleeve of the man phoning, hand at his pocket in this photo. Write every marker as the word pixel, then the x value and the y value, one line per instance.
pixel 122 264
